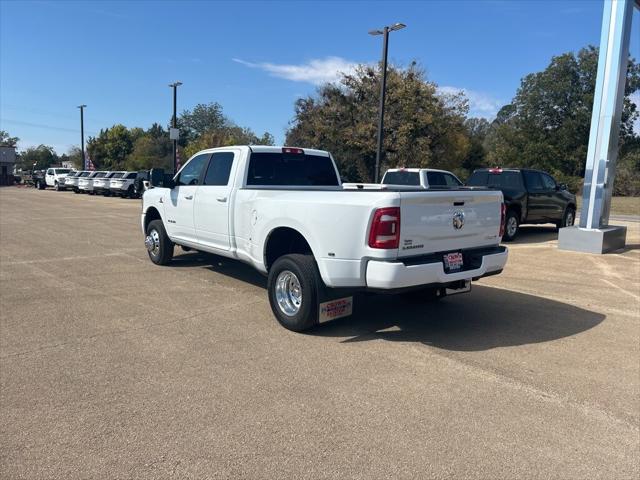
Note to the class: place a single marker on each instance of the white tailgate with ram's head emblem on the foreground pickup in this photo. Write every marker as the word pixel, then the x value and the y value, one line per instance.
pixel 433 221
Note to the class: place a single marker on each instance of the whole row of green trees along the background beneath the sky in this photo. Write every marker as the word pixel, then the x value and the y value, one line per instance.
pixel 545 126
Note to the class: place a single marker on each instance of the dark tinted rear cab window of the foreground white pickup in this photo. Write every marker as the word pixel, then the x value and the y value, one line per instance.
pixel 292 169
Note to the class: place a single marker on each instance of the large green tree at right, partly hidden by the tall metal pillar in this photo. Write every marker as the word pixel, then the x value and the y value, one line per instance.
pixel 547 123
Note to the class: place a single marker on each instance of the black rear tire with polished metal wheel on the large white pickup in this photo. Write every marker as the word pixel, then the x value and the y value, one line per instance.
pixel 305 270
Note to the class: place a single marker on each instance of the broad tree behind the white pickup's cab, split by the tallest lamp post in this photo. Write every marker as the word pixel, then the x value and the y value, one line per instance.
pixel 422 128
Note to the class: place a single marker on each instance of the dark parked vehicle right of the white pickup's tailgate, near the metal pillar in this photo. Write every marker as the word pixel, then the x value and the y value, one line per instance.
pixel 531 196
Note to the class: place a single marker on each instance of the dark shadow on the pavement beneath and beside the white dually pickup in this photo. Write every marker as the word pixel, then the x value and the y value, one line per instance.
pixel 484 319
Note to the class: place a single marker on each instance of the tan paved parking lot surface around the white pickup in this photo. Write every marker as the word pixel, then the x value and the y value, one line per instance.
pixel 112 367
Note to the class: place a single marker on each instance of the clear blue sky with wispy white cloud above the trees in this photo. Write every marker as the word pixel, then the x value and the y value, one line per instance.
pixel 256 58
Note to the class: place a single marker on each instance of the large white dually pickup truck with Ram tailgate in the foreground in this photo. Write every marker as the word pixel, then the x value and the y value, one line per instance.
pixel 284 211
